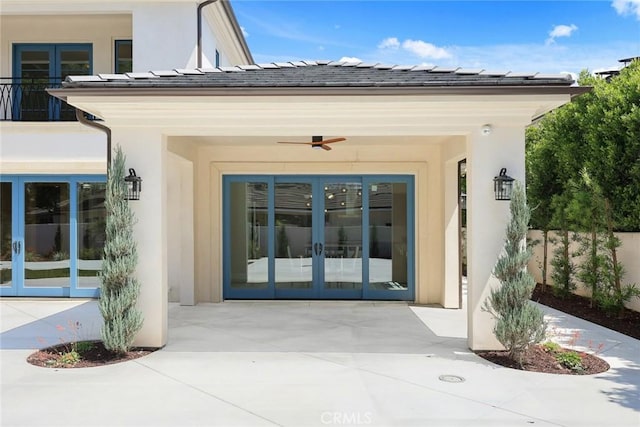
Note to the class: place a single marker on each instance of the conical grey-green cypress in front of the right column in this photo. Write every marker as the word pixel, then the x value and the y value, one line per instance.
pixel 519 323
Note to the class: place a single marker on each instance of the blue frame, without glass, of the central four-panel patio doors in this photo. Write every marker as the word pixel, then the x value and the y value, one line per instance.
pixel 317 291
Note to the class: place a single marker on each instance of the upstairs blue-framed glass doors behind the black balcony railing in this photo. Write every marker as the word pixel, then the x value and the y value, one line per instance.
pixel 38 66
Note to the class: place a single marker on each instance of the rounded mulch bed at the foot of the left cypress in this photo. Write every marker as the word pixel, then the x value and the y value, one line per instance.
pixel 97 355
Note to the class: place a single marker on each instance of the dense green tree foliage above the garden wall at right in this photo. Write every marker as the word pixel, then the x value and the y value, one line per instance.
pixel 598 133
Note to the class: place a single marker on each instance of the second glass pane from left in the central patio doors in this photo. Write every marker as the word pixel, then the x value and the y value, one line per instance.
pixel 293 236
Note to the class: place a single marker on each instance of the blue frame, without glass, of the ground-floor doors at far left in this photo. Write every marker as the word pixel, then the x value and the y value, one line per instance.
pixel 18 287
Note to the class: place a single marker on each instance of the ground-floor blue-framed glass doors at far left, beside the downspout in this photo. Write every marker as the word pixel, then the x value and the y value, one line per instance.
pixel 51 235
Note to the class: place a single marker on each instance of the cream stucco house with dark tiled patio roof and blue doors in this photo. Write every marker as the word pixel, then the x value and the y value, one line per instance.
pixel 227 211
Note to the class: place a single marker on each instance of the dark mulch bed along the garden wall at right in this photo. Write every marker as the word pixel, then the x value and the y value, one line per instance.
pixel 580 306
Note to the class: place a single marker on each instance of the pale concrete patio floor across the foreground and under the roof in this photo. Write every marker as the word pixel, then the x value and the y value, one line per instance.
pixel 300 363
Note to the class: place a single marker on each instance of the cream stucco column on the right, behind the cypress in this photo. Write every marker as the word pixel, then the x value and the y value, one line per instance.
pixel 486 221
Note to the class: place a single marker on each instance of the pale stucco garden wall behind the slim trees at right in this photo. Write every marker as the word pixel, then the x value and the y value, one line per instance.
pixel 628 255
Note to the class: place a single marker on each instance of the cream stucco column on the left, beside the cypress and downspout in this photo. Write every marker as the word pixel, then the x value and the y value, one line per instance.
pixel 146 152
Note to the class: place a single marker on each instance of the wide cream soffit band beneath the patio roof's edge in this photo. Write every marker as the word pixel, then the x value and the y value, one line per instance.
pixel 306 115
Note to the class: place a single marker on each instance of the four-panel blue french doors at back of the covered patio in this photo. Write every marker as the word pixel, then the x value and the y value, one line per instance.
pixel 318 237
